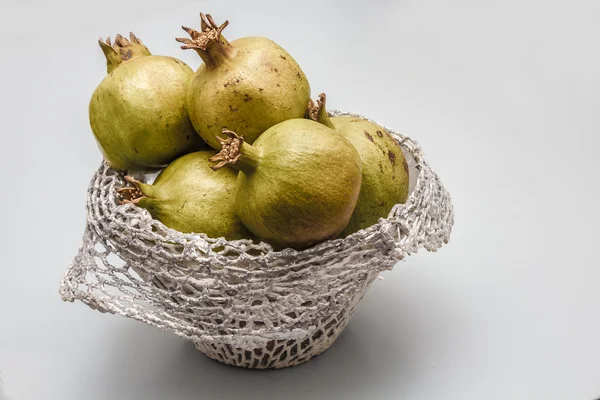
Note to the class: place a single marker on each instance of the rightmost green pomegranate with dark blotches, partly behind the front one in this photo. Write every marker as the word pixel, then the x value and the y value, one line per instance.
pixel 384 168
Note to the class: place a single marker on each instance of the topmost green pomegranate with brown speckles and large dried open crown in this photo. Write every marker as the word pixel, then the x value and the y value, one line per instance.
pixel 247 85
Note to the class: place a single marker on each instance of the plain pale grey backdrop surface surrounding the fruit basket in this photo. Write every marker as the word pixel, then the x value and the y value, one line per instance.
pixel 503 97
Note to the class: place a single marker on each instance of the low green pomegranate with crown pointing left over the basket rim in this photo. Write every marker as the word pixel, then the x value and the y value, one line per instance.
pixel 189 197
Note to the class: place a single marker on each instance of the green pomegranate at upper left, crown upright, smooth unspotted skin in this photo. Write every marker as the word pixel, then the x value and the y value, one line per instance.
pixel 137 113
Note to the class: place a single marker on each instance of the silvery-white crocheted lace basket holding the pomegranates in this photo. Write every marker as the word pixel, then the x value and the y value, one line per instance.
pixel 241 302
